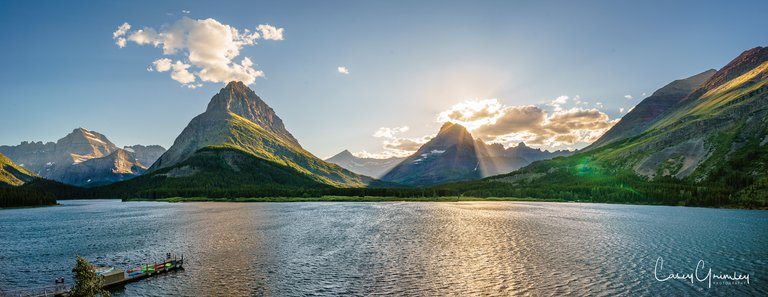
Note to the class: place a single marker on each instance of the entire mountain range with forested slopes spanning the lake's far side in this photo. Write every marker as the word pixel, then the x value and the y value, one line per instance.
pixel 701 140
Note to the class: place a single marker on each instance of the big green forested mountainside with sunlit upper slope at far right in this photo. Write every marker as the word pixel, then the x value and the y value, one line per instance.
pixel 710 148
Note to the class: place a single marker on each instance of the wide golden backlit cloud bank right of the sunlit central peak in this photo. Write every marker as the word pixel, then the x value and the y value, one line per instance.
pixel 531 124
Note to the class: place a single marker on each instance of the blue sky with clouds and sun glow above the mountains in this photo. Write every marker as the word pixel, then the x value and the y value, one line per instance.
pixel 375 77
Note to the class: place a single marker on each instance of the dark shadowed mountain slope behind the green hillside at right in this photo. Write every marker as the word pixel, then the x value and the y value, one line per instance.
pixel 651 108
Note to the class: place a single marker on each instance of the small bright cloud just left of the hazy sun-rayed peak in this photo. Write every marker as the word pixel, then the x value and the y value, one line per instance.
pixel 394 145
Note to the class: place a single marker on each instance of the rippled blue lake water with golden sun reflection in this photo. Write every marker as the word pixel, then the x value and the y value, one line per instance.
pixel 435 249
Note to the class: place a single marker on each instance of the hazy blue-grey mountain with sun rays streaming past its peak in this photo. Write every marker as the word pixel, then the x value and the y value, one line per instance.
pixel 453 155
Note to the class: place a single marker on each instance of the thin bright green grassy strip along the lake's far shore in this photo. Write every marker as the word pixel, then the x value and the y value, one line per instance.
pixel 341 199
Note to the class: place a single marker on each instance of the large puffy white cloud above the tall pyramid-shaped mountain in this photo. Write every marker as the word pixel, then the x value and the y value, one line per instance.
pixel 208 49
